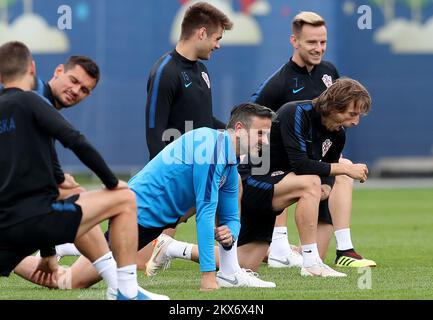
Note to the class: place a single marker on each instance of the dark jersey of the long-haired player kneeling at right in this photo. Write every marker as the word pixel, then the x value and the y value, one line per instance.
pixel 300 143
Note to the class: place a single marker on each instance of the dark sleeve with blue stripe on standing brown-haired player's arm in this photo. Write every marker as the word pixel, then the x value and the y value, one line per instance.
pixel 161 90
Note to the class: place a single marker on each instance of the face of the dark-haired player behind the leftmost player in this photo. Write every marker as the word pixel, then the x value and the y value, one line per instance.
pixel 71 86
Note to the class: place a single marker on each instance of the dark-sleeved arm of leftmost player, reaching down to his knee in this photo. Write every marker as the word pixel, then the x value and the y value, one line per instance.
pixel 51 122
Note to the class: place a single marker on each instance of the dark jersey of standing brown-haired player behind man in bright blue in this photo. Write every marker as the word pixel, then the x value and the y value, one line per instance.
pixel 178 90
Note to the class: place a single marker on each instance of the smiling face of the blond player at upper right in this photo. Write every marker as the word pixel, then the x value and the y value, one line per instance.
pixel 309 45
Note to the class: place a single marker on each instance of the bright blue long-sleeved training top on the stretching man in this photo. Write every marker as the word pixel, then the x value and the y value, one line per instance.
pixel 197 170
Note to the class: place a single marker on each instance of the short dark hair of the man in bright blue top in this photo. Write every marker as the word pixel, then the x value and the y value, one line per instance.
pixel 244 113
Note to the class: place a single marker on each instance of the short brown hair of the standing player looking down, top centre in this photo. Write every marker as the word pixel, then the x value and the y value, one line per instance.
pixel 202 14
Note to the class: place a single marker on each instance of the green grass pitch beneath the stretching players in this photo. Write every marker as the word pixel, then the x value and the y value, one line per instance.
pixel 392 227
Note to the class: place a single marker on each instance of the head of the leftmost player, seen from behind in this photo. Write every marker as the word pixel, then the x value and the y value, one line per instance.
pixel 15 58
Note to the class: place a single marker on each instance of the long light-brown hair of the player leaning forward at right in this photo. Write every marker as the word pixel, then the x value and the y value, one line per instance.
pixel 340 94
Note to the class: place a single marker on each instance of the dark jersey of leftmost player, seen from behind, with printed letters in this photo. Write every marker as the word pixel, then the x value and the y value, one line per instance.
pixel 28 126
